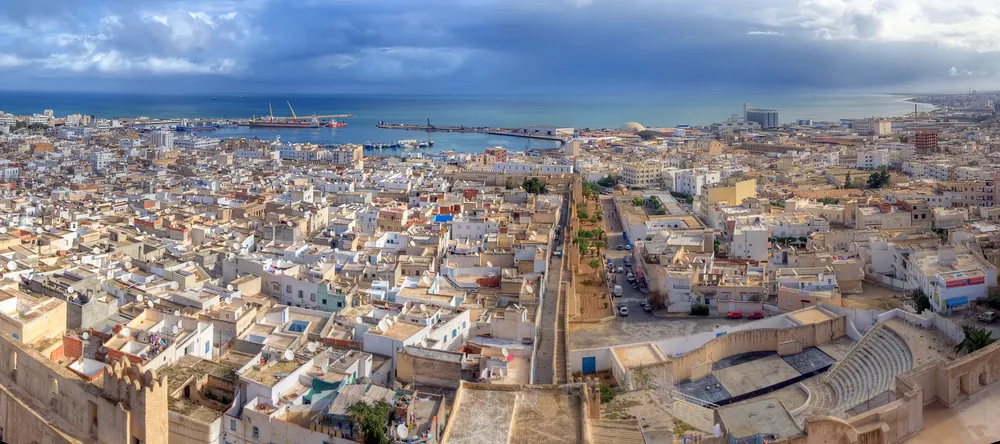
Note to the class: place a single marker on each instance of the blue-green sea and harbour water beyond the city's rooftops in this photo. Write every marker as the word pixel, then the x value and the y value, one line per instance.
pixel 506 111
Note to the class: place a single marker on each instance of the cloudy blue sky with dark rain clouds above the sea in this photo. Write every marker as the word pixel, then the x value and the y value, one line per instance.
pixel 499 46
